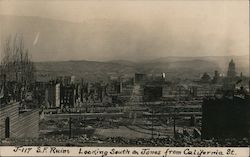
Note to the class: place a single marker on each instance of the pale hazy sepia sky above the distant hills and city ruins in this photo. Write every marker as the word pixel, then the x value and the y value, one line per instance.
pixel 137 29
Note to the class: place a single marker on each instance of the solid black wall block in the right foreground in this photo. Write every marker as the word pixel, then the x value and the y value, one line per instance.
pixel 225 117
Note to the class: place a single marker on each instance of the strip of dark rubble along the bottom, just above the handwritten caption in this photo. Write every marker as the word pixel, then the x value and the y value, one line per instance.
pixel 120 141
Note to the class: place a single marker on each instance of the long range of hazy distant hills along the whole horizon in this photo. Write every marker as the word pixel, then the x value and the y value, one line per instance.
pixel 179 67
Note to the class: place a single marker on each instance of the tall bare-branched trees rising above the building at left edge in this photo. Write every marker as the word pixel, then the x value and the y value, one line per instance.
pixel 16 63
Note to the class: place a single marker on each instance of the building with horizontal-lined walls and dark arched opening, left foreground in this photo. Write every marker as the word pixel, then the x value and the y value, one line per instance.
pixel 16 122
